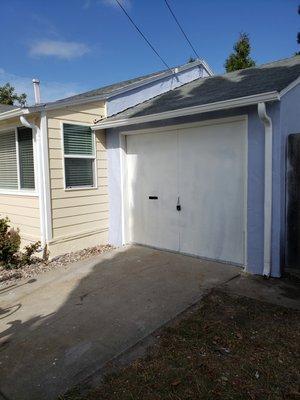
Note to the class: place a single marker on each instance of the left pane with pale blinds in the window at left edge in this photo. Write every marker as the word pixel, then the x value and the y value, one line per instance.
pixel 8 161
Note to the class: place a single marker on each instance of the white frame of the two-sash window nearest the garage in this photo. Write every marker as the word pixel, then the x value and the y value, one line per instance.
pixel 92 157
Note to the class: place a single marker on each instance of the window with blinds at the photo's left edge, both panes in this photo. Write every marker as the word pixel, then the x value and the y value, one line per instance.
pixel 17 159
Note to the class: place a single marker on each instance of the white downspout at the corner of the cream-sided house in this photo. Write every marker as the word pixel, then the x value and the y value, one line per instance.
pixel 42 178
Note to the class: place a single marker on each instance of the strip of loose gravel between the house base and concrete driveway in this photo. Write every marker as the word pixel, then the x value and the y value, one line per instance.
pixel 39 266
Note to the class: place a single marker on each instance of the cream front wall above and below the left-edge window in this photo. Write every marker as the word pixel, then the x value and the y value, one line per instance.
pixel 22 210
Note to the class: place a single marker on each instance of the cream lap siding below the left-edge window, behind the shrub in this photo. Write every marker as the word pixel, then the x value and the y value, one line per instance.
pixel 23 212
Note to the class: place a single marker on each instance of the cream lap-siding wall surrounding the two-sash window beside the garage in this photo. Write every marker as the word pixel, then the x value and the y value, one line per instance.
pixel 79 216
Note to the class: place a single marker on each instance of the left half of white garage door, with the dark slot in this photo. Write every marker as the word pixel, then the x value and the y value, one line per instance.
pixel 152 171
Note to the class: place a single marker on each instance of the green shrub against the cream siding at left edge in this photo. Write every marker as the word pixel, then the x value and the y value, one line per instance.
pixel 10 241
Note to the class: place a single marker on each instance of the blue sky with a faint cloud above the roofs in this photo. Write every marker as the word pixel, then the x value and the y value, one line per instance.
pixel 77 45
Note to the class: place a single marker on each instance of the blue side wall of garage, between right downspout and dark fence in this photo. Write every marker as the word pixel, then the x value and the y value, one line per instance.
pixel 289 123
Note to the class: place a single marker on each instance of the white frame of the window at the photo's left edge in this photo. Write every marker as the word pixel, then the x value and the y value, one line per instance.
pixel 19 191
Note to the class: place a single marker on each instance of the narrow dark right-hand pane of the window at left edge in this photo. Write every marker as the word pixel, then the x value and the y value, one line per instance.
pixel 26 162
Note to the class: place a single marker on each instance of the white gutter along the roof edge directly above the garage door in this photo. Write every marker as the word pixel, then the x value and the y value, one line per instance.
pixel 220 105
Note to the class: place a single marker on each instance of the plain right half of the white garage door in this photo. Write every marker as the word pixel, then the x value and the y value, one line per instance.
pixel 211 187
